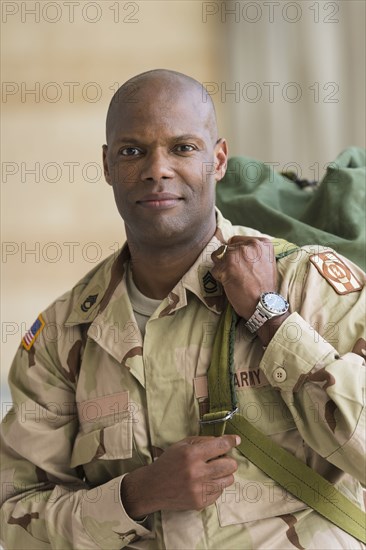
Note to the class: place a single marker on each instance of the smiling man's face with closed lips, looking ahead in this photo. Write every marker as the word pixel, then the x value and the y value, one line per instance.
pixel 163 163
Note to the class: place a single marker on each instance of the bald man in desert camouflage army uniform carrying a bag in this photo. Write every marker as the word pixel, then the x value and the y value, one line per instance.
pixel 103 447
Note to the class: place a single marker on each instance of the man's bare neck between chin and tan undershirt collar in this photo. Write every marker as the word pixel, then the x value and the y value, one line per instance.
pixel 156 269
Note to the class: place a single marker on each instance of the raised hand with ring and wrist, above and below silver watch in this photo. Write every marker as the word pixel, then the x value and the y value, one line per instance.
pixel 246 270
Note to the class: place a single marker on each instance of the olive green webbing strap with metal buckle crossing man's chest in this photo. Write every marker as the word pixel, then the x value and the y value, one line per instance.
pixel 280 465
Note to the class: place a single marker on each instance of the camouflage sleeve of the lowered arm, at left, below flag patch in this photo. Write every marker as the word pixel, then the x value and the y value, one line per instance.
pixel 45 502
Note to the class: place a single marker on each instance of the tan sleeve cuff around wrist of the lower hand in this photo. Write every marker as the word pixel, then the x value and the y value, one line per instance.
pixel 105 519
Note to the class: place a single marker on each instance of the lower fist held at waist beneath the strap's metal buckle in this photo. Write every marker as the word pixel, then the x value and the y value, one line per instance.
pixel 189 475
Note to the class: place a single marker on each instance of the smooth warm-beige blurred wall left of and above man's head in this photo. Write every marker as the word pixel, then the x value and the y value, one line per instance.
pixel 65 207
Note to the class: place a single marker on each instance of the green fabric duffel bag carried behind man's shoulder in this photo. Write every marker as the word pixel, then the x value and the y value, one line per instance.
pixel 330 213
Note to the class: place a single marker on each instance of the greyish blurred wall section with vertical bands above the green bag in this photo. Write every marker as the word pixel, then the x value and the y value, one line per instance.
pixel 299 72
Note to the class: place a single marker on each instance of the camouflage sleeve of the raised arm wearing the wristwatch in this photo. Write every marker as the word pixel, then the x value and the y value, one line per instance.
pixel 316 359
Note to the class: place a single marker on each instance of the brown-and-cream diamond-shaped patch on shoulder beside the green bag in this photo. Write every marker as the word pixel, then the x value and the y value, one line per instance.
pixel 336 272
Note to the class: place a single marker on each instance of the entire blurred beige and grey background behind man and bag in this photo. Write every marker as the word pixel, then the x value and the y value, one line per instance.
pixel 287 78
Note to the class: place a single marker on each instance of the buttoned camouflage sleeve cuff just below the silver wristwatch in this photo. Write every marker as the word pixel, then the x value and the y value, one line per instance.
pixel 295 349
